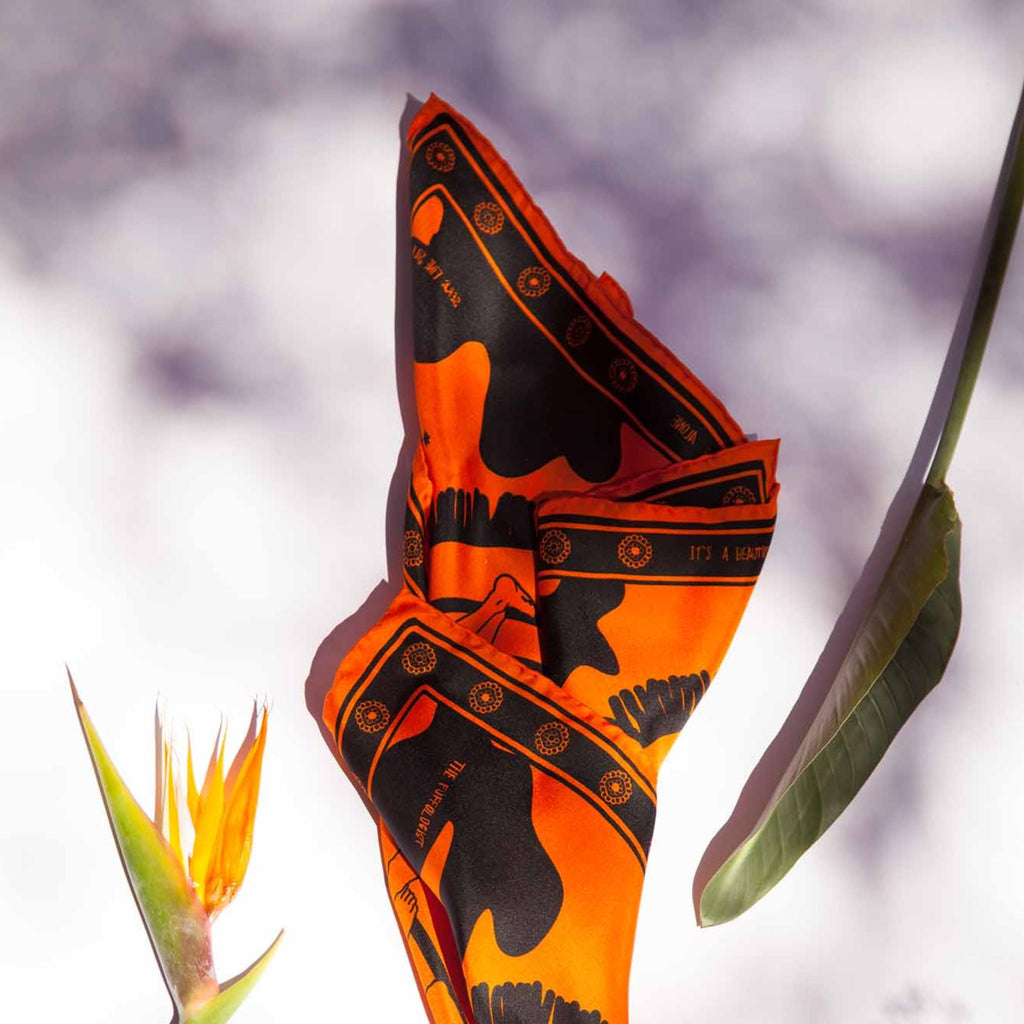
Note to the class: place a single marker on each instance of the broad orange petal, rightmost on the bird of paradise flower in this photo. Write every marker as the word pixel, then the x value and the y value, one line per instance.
pixel 231 859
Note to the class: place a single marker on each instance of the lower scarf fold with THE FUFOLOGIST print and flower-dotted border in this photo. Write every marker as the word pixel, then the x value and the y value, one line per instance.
pixel 478 765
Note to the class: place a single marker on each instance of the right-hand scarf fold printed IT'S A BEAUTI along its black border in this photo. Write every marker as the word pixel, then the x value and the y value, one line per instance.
pixel 639 595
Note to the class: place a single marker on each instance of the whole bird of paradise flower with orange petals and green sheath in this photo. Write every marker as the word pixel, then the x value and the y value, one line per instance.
pixel 178 898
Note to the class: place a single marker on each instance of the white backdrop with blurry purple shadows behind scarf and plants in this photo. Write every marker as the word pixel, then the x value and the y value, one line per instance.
pixel 201 425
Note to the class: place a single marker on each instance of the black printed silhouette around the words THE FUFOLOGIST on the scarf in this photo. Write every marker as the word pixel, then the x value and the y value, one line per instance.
pixel 484 809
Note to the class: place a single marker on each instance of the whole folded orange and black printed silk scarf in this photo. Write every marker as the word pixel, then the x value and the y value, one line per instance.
pixel 585 526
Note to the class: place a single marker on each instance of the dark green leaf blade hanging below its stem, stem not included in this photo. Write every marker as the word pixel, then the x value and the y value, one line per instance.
pixel 898 657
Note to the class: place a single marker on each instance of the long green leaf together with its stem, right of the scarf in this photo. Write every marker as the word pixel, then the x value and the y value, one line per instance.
pixel 908 636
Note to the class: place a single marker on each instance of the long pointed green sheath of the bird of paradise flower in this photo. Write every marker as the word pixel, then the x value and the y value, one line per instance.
pixel 180 930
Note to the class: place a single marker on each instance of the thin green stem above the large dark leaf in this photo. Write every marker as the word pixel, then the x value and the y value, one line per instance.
pixel 997 246
